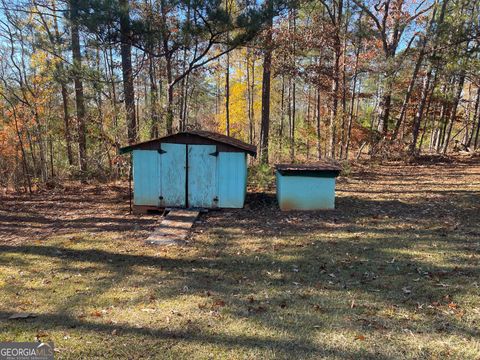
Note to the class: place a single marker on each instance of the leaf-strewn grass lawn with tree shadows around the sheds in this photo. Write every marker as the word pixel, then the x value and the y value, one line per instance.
pixel 393 272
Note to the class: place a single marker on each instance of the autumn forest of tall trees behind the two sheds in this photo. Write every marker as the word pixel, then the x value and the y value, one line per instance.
pixel 302 80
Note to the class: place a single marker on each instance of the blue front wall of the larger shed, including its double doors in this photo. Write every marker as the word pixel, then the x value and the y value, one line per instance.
pixel 213 181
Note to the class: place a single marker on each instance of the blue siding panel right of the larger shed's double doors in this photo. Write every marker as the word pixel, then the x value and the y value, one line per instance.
pixel 232 179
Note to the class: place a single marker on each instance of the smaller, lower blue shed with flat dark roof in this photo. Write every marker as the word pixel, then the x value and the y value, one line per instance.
pixel 306 186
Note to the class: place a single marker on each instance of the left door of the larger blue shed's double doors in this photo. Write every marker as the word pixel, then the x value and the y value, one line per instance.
pixel 173 175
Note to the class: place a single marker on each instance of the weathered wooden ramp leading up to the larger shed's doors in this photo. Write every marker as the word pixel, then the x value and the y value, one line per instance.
pixel 174 228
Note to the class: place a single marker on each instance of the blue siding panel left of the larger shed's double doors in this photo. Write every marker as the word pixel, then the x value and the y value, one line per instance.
pixel 146 177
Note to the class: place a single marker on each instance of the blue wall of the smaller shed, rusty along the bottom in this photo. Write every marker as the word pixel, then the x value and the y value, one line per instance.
pixel 305 192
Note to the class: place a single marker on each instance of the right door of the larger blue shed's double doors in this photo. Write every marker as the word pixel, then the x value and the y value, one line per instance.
pixel 202 176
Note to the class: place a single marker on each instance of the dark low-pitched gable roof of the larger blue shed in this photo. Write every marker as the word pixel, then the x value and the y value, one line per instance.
pixel 212 136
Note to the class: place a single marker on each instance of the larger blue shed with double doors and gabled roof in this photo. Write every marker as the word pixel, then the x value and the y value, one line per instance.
pixel 192 169
